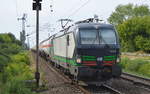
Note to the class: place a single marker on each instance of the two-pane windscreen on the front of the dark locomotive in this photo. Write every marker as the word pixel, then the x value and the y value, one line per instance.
pixel 98 36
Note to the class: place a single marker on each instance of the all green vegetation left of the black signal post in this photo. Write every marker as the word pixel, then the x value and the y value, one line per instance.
pixel 14 66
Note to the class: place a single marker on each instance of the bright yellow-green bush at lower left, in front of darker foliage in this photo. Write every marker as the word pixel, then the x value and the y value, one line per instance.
pixel 14 75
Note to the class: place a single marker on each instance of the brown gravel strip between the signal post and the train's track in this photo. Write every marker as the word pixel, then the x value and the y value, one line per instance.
pixel 56 83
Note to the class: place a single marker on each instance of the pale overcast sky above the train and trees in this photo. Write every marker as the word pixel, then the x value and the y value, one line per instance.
pixel 10 10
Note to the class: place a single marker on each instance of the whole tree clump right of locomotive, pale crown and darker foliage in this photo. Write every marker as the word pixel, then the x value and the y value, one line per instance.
pixel 132 23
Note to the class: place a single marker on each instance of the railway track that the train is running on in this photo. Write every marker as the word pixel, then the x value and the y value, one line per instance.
pixel 103 89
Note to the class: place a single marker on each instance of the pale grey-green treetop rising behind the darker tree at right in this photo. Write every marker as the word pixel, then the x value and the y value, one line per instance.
pixel 125 12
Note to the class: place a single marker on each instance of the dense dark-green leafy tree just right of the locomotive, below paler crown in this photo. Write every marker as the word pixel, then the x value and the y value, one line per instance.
pixel 135 34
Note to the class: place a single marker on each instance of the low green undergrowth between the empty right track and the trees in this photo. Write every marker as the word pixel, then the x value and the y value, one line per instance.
pixel 138 66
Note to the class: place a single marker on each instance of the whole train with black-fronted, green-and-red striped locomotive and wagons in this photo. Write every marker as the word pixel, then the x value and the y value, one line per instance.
pixel 87 50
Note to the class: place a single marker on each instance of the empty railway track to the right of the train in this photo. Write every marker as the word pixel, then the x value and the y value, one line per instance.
pixel 137 80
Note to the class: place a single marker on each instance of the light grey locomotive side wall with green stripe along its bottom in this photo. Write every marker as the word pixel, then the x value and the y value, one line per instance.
pixel 63 53
